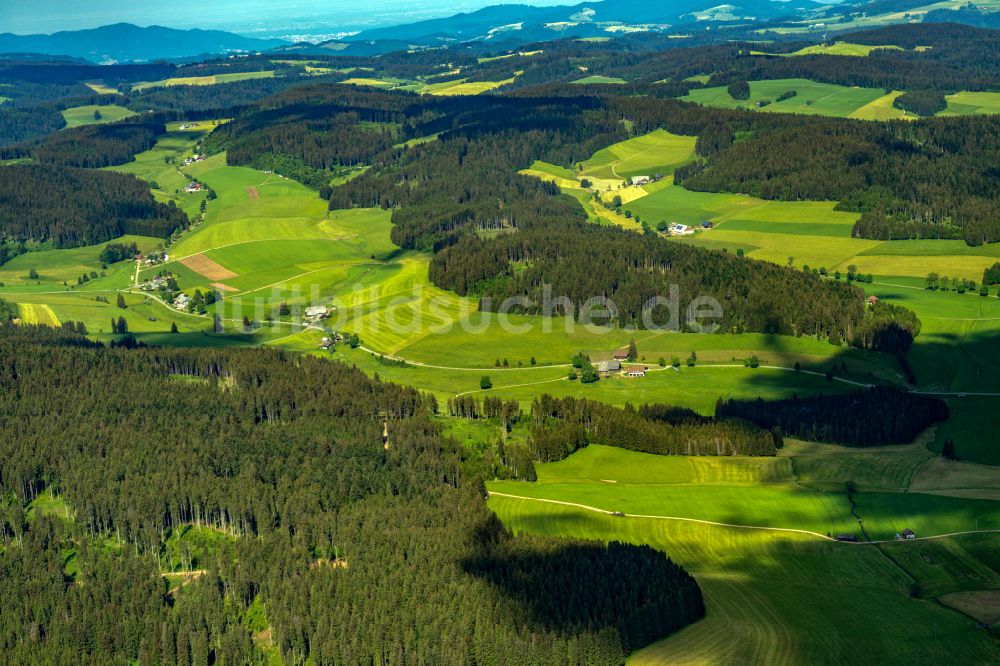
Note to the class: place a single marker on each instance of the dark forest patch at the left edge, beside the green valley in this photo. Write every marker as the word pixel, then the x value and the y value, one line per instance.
pixel 69 207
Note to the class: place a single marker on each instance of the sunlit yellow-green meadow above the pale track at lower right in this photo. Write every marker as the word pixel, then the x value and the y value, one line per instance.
pixel 755 492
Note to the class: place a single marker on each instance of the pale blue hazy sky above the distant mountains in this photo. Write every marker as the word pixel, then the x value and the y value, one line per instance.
pixel 254 18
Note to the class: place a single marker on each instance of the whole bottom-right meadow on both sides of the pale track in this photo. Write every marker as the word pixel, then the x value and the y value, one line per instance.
pixel 782 597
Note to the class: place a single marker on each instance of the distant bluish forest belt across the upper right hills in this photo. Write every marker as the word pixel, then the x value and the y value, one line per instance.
pixel 960 58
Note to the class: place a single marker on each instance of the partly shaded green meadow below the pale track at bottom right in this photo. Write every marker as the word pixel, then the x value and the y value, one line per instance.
pixel 777 598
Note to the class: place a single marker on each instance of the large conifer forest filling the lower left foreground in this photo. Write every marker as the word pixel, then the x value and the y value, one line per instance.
pixel 359 552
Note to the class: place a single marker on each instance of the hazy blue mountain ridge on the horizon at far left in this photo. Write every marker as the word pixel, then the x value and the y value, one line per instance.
pixel 124 42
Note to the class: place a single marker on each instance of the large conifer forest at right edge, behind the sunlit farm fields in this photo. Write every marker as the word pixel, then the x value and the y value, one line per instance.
pixel 935 178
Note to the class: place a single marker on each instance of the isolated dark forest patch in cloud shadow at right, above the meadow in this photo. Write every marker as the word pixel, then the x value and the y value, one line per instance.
pixel 875 416
